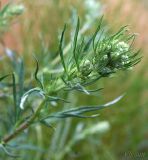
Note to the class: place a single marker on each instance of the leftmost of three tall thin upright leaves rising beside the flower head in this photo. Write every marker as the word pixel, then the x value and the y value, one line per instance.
pixel 61 50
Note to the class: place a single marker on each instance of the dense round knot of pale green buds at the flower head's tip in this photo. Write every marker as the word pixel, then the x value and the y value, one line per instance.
pixel 112 55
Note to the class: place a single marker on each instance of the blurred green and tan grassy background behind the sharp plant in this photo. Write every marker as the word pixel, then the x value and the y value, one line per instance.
pixel 119 130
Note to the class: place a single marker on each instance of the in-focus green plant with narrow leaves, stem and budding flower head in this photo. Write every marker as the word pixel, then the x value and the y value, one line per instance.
pixel 86 62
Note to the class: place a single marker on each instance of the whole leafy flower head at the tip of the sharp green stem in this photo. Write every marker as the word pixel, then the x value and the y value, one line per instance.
pixel 103 57
